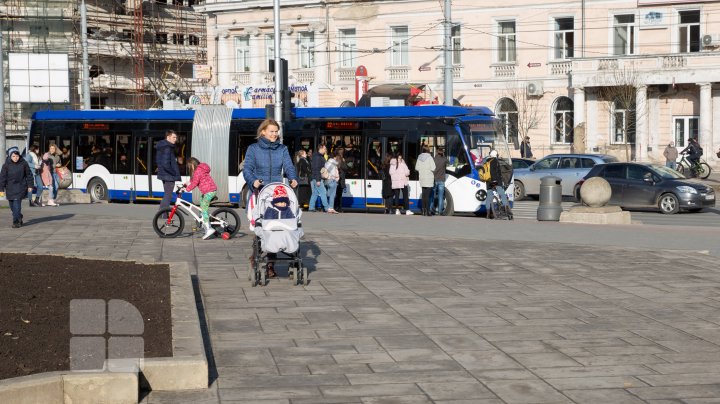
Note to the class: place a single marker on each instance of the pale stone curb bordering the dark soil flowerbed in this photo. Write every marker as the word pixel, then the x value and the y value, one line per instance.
pixel 187 369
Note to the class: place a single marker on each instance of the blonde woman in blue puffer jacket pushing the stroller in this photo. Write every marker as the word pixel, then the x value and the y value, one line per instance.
pixel 265 162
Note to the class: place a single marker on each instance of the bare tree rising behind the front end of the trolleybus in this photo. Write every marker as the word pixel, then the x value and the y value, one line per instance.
pixel 526 116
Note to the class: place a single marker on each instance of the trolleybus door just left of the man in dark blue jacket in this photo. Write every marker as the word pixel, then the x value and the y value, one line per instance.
pixel 147 186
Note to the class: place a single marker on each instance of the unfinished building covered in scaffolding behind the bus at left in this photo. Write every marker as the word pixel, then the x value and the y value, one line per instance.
pixel 140 51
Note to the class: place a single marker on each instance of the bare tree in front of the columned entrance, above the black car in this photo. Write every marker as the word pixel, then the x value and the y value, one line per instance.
pixel 619 90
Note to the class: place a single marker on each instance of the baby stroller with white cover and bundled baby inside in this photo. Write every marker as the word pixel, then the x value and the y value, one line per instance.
pixel 278 230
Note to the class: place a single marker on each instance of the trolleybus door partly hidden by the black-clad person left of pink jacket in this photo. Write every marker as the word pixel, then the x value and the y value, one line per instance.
pixel 376 148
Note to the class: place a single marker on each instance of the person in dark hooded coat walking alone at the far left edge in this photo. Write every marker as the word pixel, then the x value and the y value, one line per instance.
pixel 16 181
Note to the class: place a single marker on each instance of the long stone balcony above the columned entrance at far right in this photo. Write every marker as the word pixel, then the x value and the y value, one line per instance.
pixel 647 69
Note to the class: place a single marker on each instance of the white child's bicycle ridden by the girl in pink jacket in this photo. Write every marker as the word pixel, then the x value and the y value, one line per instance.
pixel 169 223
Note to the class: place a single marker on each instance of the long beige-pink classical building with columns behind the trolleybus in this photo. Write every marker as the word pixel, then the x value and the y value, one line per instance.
pixel 618 77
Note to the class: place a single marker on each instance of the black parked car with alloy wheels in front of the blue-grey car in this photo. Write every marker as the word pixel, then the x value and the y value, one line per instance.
pixel 652 186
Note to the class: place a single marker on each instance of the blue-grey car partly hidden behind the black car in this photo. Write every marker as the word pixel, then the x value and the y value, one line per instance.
pixel 571 168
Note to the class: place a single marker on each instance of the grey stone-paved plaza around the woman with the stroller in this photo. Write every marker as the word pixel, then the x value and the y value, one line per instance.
pixel 433 309
